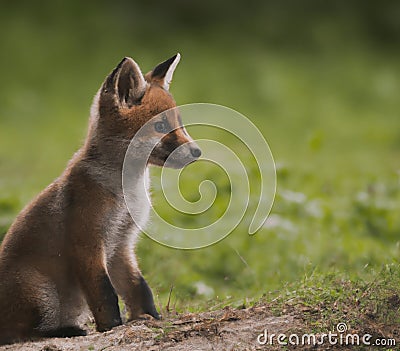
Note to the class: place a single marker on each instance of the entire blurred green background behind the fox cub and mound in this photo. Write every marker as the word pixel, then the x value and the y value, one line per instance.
pixel 321 79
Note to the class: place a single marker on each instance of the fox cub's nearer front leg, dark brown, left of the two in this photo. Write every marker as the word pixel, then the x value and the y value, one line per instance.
pixel 99 292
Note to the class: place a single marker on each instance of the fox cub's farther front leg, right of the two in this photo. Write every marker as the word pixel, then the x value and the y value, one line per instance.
pixel 131 286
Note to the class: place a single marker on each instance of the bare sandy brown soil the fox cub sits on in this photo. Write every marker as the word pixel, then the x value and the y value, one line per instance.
pixel 225 329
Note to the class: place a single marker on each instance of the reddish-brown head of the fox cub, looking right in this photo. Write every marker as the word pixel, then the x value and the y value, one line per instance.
pixel 128 102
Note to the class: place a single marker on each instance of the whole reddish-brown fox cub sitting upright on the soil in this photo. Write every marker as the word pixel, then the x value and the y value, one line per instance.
pixel 71 251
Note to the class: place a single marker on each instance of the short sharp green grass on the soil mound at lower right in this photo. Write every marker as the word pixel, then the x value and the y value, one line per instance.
pixel 325 300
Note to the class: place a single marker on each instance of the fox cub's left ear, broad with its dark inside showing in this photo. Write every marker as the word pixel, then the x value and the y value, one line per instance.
pixel 126 83
